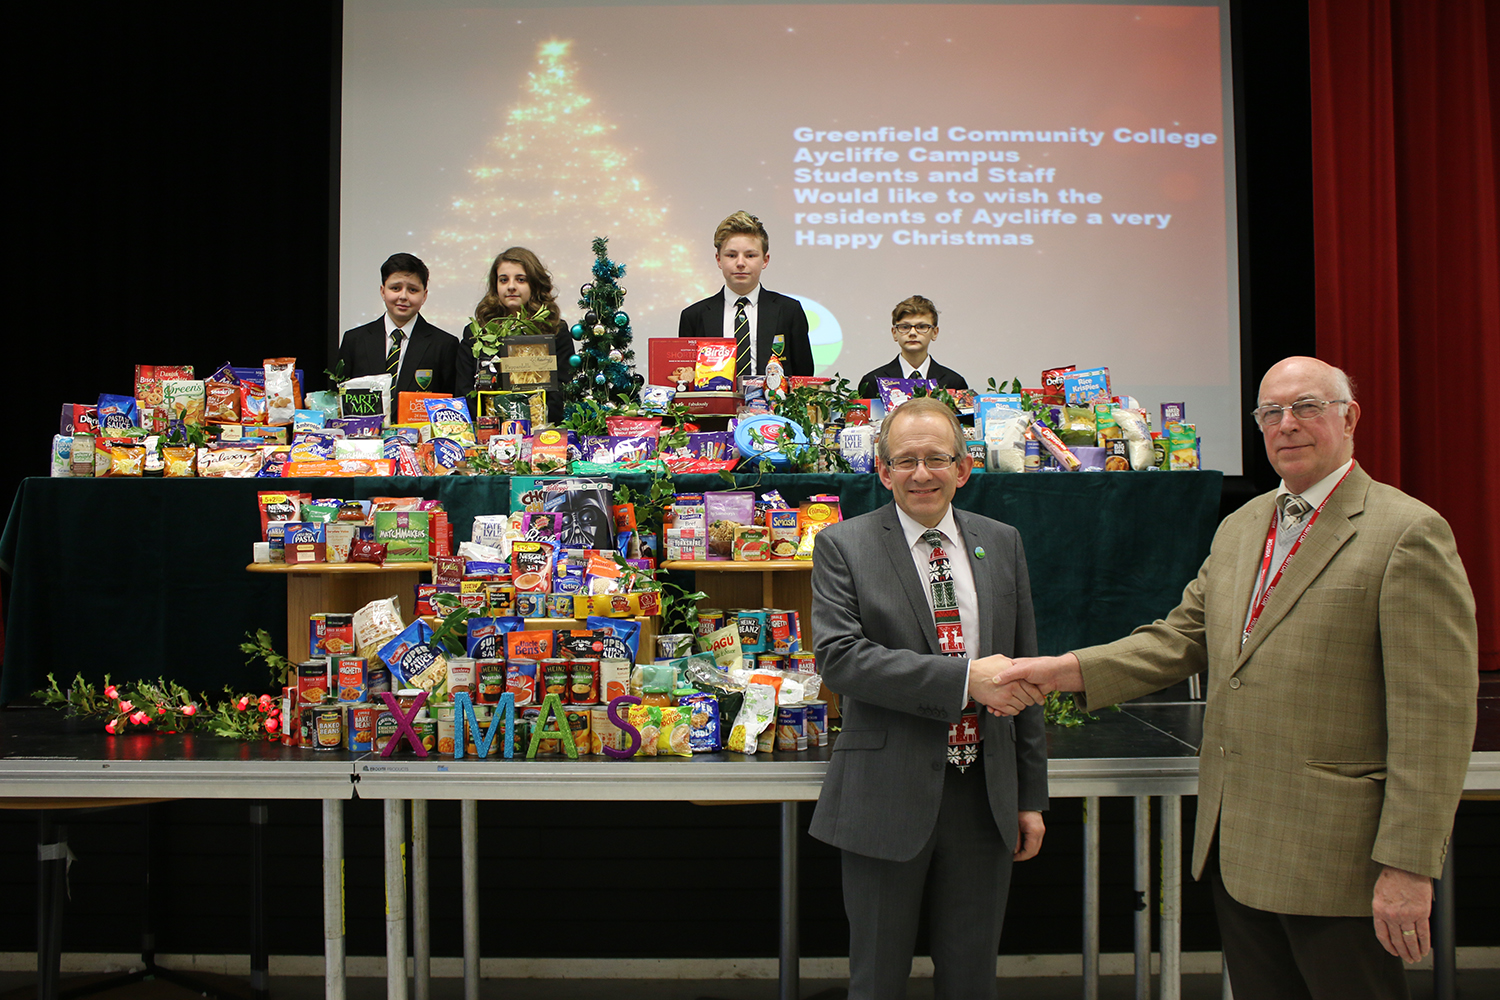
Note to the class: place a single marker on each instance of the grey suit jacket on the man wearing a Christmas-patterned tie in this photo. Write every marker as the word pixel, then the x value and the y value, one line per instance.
pixel 878 648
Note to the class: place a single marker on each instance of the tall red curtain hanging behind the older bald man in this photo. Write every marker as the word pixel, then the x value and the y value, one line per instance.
pixel 1405 149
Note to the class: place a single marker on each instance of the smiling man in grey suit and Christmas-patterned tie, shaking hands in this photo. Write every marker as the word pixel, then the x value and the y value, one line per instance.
pixel 928 794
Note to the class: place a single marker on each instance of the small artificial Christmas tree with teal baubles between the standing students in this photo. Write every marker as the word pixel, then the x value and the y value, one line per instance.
pixel 604 365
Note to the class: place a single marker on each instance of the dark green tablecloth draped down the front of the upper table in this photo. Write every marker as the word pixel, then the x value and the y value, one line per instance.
pixel 145 578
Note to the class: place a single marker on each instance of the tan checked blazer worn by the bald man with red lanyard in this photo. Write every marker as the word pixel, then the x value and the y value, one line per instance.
pixel 1336 741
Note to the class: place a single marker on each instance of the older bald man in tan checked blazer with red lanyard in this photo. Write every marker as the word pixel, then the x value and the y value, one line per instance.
pixel 1339 632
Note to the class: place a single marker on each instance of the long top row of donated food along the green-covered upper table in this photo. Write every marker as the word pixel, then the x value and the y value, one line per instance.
pixel 257 424
